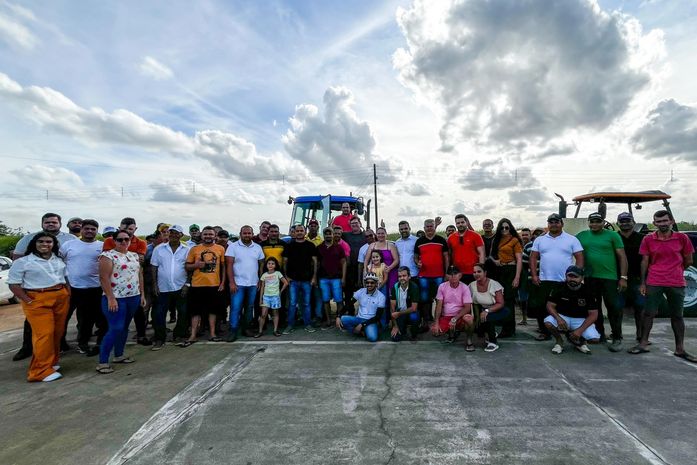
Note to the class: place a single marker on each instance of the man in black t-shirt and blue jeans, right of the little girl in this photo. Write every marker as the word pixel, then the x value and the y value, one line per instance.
pixel 300 262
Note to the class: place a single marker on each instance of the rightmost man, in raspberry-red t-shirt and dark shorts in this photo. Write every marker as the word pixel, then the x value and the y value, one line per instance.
pixel 665 255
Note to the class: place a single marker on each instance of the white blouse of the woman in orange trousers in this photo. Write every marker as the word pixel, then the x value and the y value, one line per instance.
pixel 33 272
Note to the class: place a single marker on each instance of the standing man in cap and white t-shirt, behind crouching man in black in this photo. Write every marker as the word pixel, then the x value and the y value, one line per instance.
pixel 554 252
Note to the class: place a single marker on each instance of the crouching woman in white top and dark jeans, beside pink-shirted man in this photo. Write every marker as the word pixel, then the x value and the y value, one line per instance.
pixel 487 297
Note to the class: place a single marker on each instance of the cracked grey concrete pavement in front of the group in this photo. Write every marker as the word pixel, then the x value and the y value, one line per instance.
pixel 331 398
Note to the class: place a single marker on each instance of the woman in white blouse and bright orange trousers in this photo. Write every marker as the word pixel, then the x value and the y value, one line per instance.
pixel 38 281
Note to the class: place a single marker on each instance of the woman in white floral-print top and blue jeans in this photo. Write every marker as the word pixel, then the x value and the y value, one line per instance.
pixel 121 277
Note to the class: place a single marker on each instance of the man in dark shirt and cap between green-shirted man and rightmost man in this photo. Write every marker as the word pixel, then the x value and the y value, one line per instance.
pixel 631 297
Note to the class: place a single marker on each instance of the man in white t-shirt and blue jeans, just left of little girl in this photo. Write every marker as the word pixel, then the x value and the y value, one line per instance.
pixel 244 263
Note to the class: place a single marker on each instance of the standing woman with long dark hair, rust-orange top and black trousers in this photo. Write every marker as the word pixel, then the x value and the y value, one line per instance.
pixel 507 256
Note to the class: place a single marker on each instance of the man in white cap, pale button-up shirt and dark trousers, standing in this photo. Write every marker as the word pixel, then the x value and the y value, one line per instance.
pixel 169 279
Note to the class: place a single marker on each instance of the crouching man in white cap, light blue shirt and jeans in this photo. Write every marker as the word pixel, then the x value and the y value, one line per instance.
pixel 371 304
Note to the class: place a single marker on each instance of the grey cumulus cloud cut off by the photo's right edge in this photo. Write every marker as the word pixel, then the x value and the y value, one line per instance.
pixel 670 131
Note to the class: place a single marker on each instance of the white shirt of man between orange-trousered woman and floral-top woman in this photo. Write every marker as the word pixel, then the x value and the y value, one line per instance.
pixel 82 260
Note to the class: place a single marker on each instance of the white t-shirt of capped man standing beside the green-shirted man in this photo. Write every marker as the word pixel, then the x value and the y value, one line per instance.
pixel 556 255
